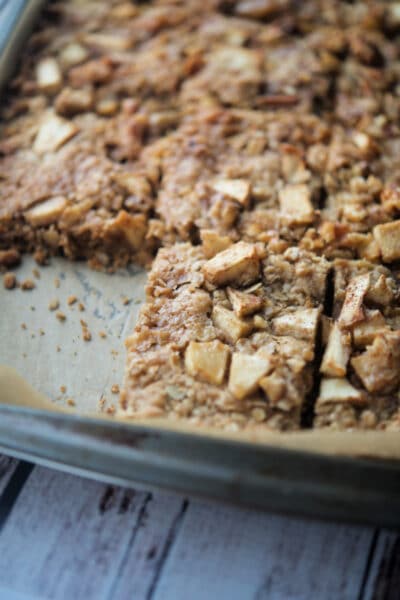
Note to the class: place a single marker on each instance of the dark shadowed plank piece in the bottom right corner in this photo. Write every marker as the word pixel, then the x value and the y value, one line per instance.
pixel 383 580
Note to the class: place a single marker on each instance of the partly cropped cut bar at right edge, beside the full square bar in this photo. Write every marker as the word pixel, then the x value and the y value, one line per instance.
pixel 361 365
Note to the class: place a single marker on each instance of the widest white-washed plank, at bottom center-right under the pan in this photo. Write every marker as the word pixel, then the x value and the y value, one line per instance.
pixel 239 554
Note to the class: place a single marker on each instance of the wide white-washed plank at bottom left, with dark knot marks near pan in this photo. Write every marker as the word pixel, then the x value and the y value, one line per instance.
pixel 66 537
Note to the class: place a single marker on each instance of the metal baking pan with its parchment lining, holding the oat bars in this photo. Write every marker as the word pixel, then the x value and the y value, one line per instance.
pixel 352 477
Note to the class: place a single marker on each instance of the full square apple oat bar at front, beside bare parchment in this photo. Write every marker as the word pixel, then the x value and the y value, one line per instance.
pixel 195 355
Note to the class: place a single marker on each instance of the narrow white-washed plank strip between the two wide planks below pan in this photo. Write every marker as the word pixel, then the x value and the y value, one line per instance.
pixel 140 569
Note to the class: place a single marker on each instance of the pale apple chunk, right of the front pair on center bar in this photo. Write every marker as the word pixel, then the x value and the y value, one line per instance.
pixel 245 373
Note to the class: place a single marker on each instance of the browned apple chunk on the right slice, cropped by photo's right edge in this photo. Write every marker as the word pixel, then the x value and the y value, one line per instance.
pixel 378 367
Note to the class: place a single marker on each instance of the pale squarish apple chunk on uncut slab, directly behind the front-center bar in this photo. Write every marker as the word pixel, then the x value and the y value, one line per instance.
pixel 295 204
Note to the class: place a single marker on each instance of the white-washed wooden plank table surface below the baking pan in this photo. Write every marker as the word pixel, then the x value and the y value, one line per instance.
pixel 64 537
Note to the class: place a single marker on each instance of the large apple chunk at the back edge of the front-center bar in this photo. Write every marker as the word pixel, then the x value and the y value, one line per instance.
pixel 239 264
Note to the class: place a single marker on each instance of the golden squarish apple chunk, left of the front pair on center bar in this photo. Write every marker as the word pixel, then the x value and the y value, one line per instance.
pixel 207 360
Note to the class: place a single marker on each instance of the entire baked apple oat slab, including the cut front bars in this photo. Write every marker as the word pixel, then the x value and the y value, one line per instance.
pixel 251 148
